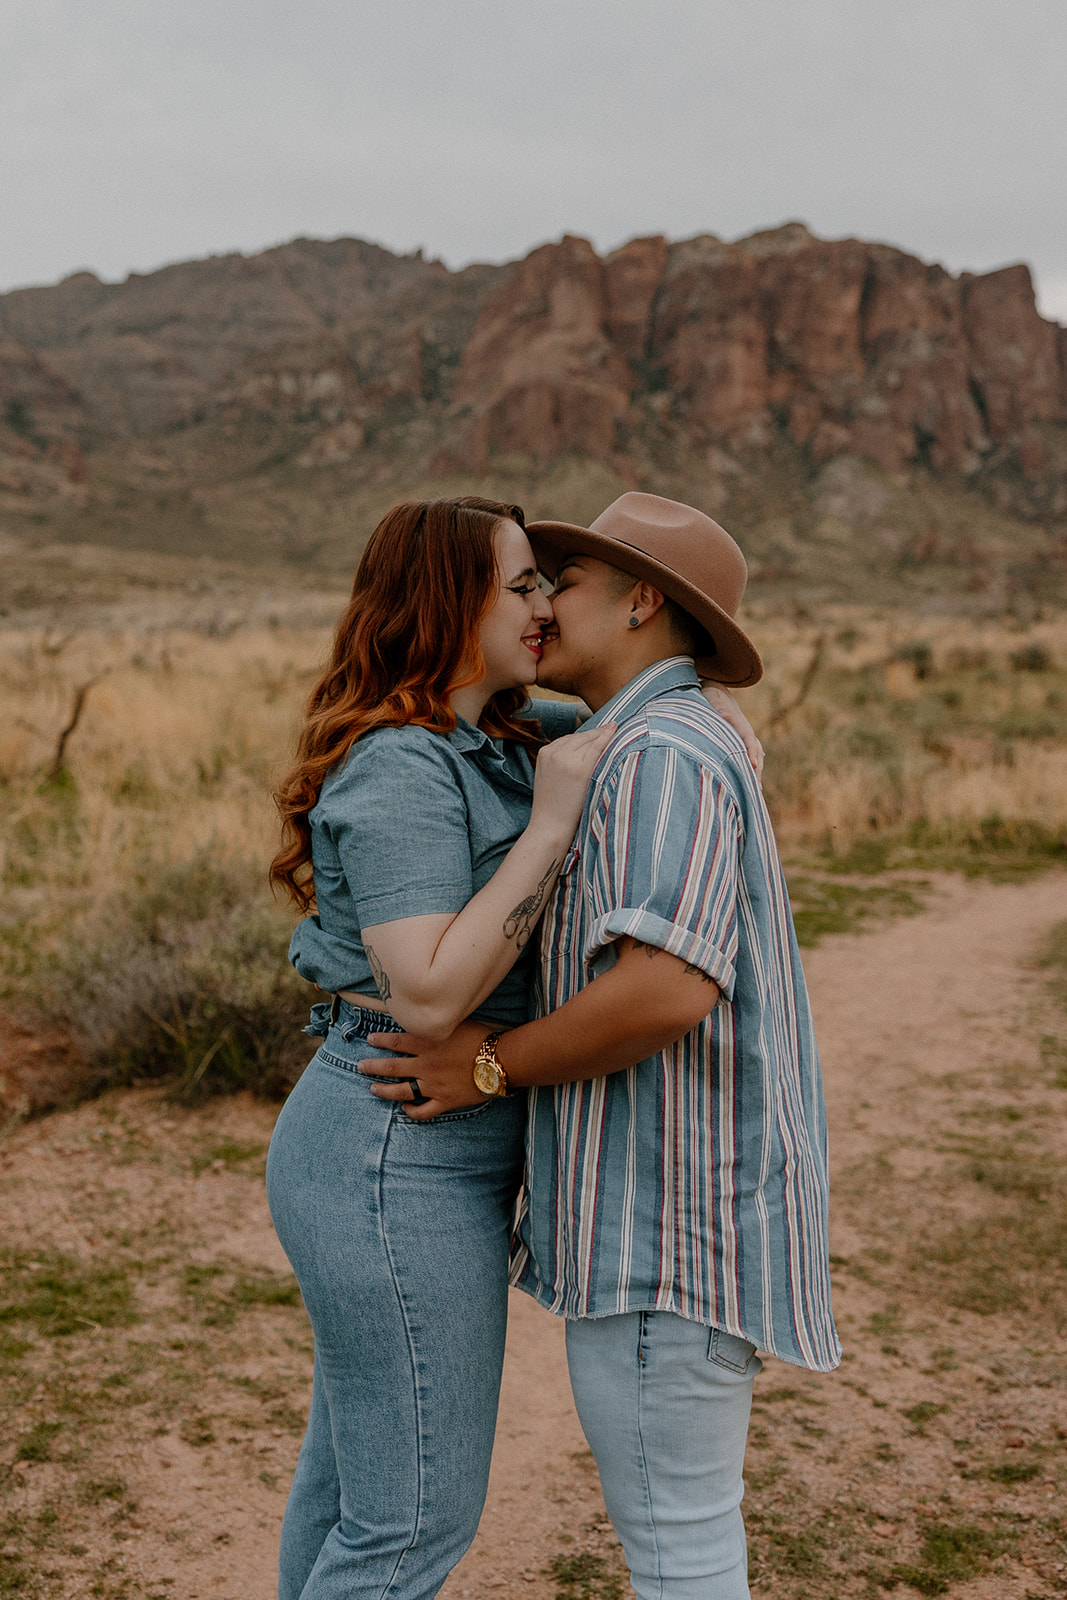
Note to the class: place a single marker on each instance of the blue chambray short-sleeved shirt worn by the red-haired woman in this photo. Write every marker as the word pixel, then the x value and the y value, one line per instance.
pixel 414 823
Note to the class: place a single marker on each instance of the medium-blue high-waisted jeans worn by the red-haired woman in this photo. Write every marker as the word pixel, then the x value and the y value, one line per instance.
pixel 398 1233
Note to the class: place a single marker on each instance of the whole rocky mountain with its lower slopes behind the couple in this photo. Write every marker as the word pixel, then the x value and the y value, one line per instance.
pixel 804 386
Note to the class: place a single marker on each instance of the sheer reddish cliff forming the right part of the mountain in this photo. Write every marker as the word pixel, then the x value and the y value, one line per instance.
pixel 847 348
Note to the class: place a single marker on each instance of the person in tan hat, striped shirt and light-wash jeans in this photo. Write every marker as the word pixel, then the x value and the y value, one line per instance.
pixel 676 1198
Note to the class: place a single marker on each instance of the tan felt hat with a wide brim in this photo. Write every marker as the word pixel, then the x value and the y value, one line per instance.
pixel 677 550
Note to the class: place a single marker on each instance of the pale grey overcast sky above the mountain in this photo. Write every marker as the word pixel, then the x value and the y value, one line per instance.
pixel 143 132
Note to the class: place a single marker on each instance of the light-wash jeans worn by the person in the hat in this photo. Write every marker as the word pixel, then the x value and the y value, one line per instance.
pixel 665 1406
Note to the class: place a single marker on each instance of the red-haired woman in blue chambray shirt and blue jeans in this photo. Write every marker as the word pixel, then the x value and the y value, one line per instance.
pixel 425 825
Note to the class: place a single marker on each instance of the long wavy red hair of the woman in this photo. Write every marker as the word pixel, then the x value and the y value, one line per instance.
pixel 406 642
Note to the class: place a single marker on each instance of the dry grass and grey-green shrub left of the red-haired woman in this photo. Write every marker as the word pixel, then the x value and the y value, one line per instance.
pixel 137 913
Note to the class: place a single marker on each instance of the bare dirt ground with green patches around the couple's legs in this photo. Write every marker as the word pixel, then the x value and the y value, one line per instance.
pixel 156 1358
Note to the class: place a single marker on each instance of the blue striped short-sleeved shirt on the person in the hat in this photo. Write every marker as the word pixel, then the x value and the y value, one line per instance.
pixel 695 1182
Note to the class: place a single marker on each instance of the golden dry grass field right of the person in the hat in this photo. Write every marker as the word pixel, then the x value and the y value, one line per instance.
pixel 938 727
